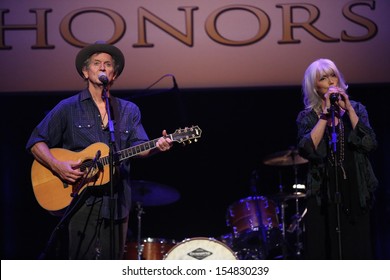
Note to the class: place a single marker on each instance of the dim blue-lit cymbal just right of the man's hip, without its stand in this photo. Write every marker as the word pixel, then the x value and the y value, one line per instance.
pixel 153 194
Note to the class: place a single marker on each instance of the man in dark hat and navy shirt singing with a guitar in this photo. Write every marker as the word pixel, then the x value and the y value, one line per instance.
pixel 75 124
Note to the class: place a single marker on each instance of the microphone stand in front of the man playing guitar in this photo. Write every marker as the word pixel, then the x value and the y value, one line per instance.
pixel 111 167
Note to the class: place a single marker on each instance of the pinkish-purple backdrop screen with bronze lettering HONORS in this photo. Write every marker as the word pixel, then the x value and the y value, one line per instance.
pixel 203 44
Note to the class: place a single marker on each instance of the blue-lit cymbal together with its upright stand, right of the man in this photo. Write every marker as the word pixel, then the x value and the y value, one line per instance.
pixel 149 194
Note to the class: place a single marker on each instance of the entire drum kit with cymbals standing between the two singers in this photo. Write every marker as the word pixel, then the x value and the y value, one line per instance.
pixel 257 224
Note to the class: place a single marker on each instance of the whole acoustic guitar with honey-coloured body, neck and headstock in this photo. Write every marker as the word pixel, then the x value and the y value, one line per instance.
pixel 54 195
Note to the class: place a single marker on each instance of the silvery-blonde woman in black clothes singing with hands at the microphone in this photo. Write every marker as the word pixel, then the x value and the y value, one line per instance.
pixel 335 135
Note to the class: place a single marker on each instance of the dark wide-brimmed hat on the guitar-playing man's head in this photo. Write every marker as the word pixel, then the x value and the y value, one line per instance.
pixel 99 47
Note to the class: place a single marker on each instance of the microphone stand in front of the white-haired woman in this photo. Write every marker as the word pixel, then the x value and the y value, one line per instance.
pixel 333 143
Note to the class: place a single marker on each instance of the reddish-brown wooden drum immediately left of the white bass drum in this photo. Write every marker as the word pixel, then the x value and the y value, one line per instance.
pixel 151 248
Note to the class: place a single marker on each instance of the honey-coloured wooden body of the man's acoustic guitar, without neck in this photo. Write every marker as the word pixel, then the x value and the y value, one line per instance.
pixel 52 193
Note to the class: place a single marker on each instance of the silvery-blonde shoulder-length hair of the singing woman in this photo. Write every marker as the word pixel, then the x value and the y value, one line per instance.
pixel 322 66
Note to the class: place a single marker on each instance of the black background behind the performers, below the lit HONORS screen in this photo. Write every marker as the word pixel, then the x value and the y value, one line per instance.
pixel 240 127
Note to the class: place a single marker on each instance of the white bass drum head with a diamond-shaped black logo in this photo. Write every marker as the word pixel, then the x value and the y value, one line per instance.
pixel 200 248
